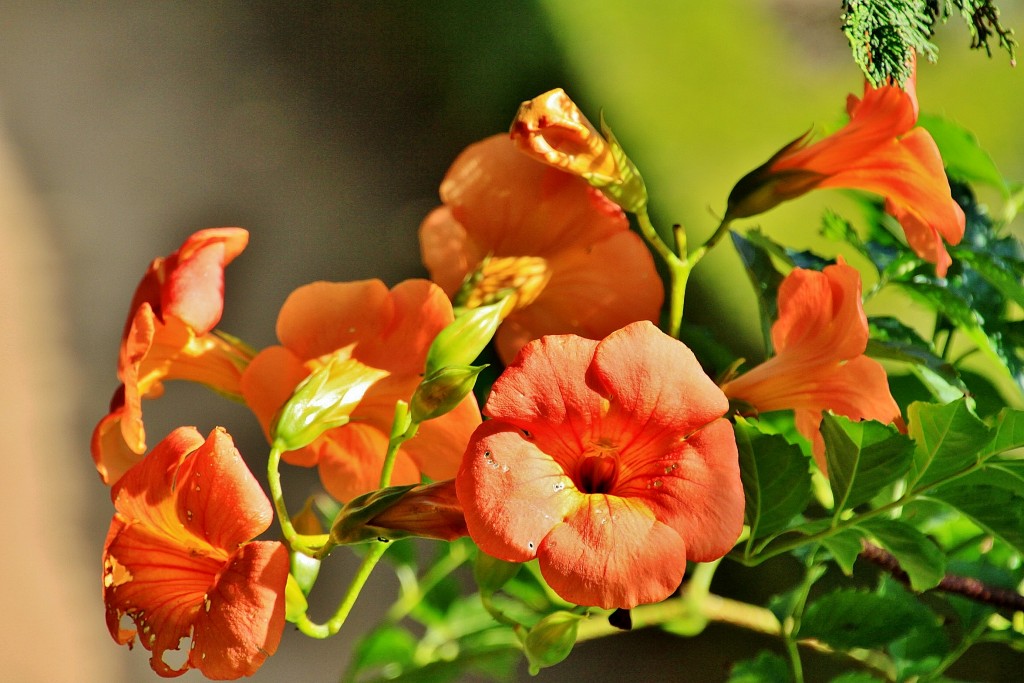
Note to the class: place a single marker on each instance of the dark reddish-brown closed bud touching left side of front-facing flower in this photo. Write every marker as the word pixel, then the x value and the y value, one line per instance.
pixel 431 511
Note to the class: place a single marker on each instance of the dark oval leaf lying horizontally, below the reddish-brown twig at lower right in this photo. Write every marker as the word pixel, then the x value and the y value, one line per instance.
pixel 849 618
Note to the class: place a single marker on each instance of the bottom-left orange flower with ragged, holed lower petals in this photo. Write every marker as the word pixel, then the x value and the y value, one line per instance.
pixel 180 561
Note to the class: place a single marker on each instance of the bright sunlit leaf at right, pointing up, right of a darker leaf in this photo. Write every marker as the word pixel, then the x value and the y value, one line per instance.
pixel 949 440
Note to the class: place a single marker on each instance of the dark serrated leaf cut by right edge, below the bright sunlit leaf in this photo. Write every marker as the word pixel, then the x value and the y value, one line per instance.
pixel 997 509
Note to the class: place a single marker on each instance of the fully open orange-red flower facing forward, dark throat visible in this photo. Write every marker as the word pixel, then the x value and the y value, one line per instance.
pixel 610 462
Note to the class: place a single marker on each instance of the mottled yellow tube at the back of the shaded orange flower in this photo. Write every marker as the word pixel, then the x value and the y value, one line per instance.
pixel 522 278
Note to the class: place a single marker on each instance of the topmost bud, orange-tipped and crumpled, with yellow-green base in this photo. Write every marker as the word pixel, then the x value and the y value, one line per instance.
pixel 552 130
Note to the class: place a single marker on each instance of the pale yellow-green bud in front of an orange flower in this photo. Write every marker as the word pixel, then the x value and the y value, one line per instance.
pixel 324 401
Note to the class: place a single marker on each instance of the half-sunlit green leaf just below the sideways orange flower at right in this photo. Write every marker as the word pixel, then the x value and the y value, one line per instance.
pixel 863 458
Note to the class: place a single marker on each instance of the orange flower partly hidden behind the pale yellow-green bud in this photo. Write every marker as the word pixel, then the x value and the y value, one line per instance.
pixel 389 334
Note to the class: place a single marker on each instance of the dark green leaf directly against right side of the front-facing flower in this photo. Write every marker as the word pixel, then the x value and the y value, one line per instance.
pixel 776 477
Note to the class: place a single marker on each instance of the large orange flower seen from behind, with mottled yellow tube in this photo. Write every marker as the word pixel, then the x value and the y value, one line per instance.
pixel 515 227
